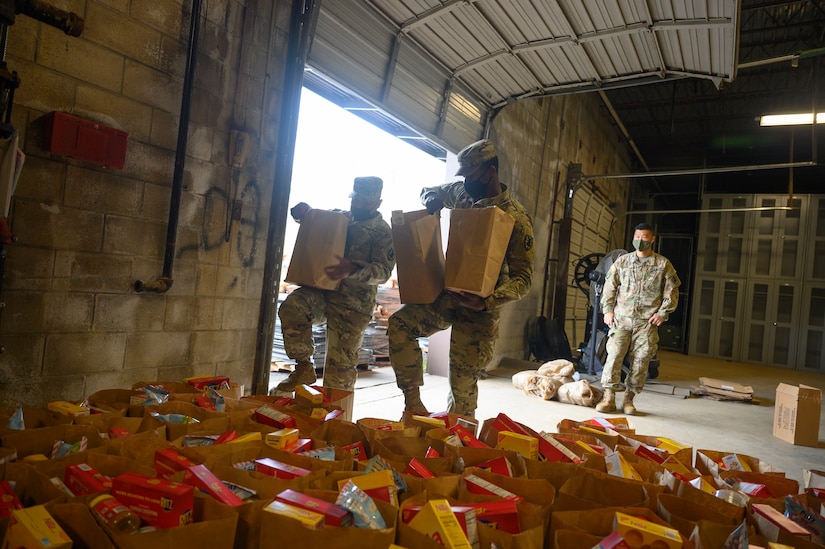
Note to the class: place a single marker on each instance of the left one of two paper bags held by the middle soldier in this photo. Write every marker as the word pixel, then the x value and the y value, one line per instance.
pixel 419 257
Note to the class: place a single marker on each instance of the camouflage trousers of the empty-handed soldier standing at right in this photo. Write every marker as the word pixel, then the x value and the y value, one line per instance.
pixel 643 342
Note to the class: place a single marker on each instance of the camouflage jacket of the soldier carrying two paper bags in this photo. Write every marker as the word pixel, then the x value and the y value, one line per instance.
pixel 516 273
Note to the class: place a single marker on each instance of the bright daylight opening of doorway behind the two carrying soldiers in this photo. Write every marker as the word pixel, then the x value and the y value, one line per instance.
pixel 333 147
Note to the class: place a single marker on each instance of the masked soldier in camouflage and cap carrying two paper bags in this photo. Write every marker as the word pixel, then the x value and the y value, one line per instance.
pixel 474 319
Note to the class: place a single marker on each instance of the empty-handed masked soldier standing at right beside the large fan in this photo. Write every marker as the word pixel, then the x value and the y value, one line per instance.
pixel 641 289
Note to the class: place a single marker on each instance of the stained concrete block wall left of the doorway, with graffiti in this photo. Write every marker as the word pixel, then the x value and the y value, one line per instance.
pixel 73 323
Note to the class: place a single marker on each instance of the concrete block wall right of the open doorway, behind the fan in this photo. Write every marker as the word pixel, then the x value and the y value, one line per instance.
pixel 538 139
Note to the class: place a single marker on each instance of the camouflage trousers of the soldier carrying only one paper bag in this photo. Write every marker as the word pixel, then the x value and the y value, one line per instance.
pixel 306 307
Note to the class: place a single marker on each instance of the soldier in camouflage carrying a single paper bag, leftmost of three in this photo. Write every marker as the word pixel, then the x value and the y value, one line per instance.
pixel 368 261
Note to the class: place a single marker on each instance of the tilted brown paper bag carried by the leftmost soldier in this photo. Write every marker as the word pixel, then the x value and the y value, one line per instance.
pixel 322 236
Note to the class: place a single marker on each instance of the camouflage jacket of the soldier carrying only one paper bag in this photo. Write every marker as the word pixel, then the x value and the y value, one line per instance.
pixel 369 246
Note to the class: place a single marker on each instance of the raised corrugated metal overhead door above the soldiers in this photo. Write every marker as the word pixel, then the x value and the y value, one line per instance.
pixel 444 67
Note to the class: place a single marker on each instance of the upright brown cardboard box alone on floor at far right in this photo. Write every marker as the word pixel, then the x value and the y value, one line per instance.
pixel 796 414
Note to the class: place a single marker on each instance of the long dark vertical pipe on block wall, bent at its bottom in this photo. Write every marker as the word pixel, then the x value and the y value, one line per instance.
pixel 164 283
